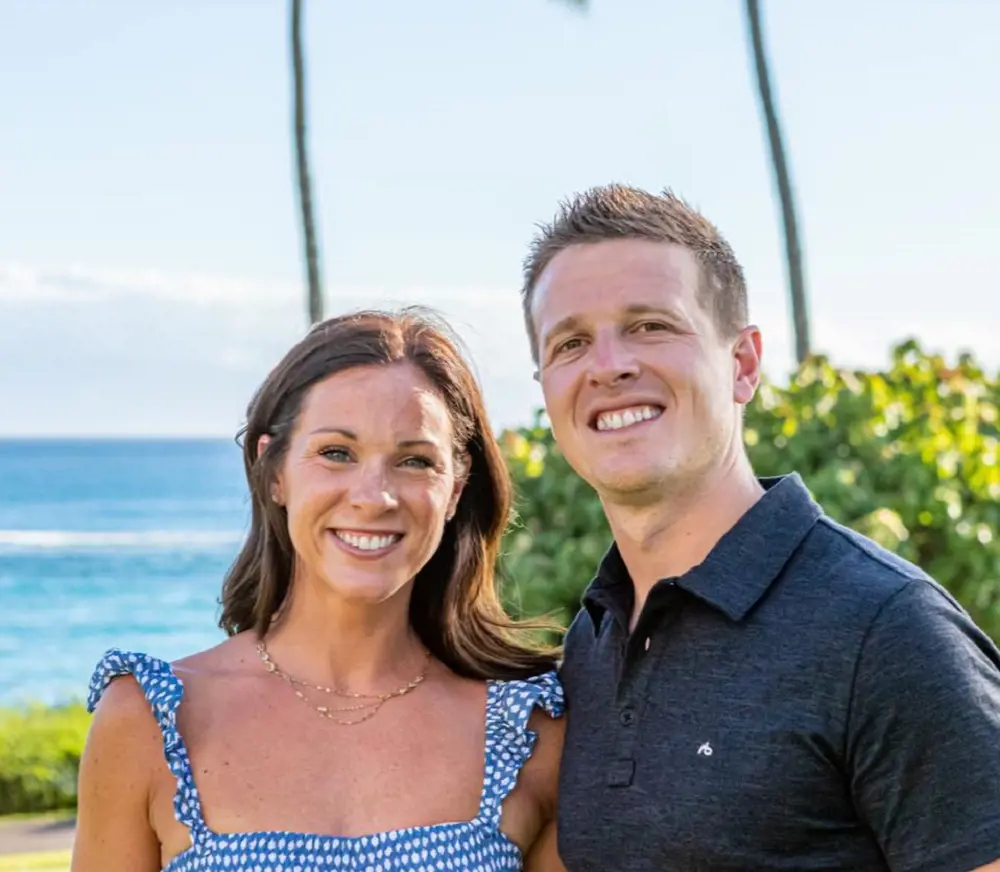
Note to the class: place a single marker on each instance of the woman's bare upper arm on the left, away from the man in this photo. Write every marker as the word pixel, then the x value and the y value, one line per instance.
pixel 113 832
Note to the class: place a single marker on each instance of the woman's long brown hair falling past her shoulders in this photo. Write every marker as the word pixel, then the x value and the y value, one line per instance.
pixel 454 607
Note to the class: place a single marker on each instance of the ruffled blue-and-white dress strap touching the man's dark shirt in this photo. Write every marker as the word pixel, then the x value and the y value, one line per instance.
pixel 509 741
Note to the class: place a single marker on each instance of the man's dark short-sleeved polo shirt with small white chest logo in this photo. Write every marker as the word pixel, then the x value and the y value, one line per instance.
pixel 802 700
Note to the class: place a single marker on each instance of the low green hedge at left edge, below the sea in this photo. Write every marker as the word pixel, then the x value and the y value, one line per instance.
pixel 40 750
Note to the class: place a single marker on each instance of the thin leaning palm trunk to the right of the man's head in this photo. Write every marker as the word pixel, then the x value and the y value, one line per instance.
pixel 796 281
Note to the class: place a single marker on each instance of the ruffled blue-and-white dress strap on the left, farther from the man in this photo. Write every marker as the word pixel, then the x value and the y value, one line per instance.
pixel 164 691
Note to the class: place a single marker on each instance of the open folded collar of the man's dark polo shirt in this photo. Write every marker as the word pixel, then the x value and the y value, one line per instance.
pixel 741 567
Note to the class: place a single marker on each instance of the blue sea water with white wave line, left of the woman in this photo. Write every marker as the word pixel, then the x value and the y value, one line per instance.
pixel 110 543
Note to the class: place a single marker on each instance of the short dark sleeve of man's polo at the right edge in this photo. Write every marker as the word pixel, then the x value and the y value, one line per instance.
pixel 923 743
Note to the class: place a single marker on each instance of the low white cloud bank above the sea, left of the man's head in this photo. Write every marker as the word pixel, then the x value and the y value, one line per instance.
pixel 97 351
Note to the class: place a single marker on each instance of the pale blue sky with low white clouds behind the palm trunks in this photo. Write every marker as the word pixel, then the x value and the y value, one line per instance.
pixel 150 259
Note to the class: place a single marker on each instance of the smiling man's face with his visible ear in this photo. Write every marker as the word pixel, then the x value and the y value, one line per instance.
pixel 641 390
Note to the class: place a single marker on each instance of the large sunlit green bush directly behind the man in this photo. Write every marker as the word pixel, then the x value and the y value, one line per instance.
pixel 908 456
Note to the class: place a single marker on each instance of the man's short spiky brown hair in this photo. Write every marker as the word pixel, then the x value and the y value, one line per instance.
pixel 622 212
